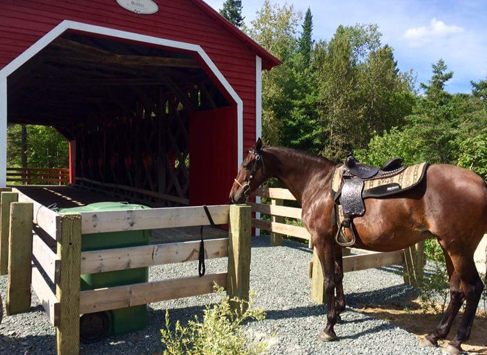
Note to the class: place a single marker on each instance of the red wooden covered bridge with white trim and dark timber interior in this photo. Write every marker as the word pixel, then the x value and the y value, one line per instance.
pixel 159 99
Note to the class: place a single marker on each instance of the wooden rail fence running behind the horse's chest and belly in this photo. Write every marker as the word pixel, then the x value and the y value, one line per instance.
pixel 413 258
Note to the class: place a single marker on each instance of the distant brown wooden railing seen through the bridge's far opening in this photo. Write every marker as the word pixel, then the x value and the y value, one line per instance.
pixel 38 176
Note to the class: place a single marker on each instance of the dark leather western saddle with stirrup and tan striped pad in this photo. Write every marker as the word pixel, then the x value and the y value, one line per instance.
pixel 354 181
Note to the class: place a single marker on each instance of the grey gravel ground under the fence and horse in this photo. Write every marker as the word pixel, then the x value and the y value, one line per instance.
pixel 279 279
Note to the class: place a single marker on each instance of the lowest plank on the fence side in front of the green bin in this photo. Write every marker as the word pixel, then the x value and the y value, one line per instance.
pixel 138 294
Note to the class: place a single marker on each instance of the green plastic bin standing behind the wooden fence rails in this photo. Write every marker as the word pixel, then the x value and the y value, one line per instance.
pixel 127 319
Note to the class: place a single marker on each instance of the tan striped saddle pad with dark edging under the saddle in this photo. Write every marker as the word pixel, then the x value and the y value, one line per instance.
pixel 385 185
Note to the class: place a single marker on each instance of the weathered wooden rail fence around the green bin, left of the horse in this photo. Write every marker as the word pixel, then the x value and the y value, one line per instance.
pixel 29 260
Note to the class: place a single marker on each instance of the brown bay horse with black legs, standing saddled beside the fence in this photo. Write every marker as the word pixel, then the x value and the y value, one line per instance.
pixel 450 205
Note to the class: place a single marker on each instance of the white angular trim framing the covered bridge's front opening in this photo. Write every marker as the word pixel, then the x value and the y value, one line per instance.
pixel 78 26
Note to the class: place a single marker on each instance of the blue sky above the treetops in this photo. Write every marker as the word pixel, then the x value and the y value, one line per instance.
pixel 420 31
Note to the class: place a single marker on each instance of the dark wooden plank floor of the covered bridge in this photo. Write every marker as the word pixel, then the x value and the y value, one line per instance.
pixel 70 196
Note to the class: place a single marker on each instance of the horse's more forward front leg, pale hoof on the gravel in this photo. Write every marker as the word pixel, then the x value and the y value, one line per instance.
pixel 327 259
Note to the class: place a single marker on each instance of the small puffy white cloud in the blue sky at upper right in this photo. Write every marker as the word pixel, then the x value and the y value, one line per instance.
pixel 419 36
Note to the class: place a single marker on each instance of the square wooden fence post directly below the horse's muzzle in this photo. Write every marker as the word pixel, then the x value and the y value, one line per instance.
pixel 238 279
